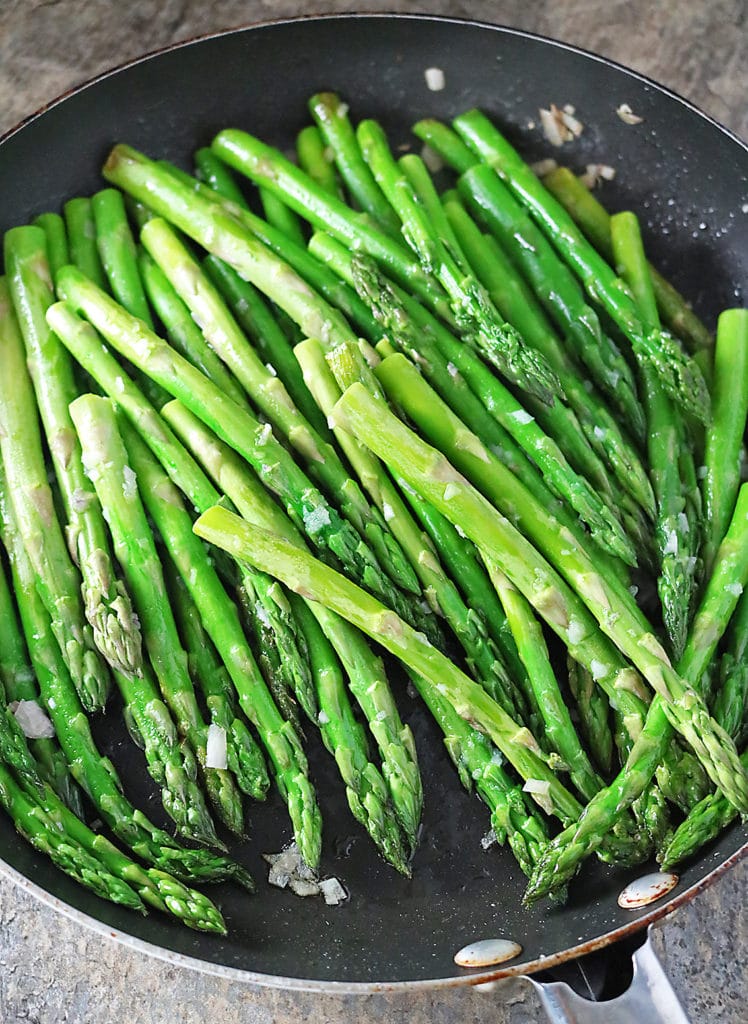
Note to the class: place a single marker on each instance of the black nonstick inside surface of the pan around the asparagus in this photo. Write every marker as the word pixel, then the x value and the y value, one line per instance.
pixel 682 172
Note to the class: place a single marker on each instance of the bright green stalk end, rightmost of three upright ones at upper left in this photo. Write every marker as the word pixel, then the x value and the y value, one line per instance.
pixel 117 250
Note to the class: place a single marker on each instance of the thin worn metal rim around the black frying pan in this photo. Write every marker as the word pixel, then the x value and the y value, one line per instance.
pixel 346 988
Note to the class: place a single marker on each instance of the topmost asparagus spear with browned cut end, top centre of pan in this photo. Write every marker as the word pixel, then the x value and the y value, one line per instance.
pixel 330 115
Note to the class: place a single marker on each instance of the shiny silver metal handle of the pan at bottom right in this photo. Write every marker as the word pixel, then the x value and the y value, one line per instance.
pixel 650 998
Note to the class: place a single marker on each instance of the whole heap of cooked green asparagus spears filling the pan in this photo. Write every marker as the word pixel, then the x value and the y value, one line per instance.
pixel 243 453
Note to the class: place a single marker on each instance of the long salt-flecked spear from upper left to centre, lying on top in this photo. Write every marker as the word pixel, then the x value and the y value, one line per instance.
pixel 323 525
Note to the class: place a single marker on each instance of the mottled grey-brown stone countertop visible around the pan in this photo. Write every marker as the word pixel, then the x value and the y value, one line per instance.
pixel 54 972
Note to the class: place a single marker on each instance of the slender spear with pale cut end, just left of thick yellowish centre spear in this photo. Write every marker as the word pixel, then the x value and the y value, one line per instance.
pixel 439 589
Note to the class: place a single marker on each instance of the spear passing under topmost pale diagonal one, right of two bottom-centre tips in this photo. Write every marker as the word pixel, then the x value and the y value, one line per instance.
pixel 366 674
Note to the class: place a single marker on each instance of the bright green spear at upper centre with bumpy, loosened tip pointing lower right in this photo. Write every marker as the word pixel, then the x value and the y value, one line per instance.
pixel 477 316
